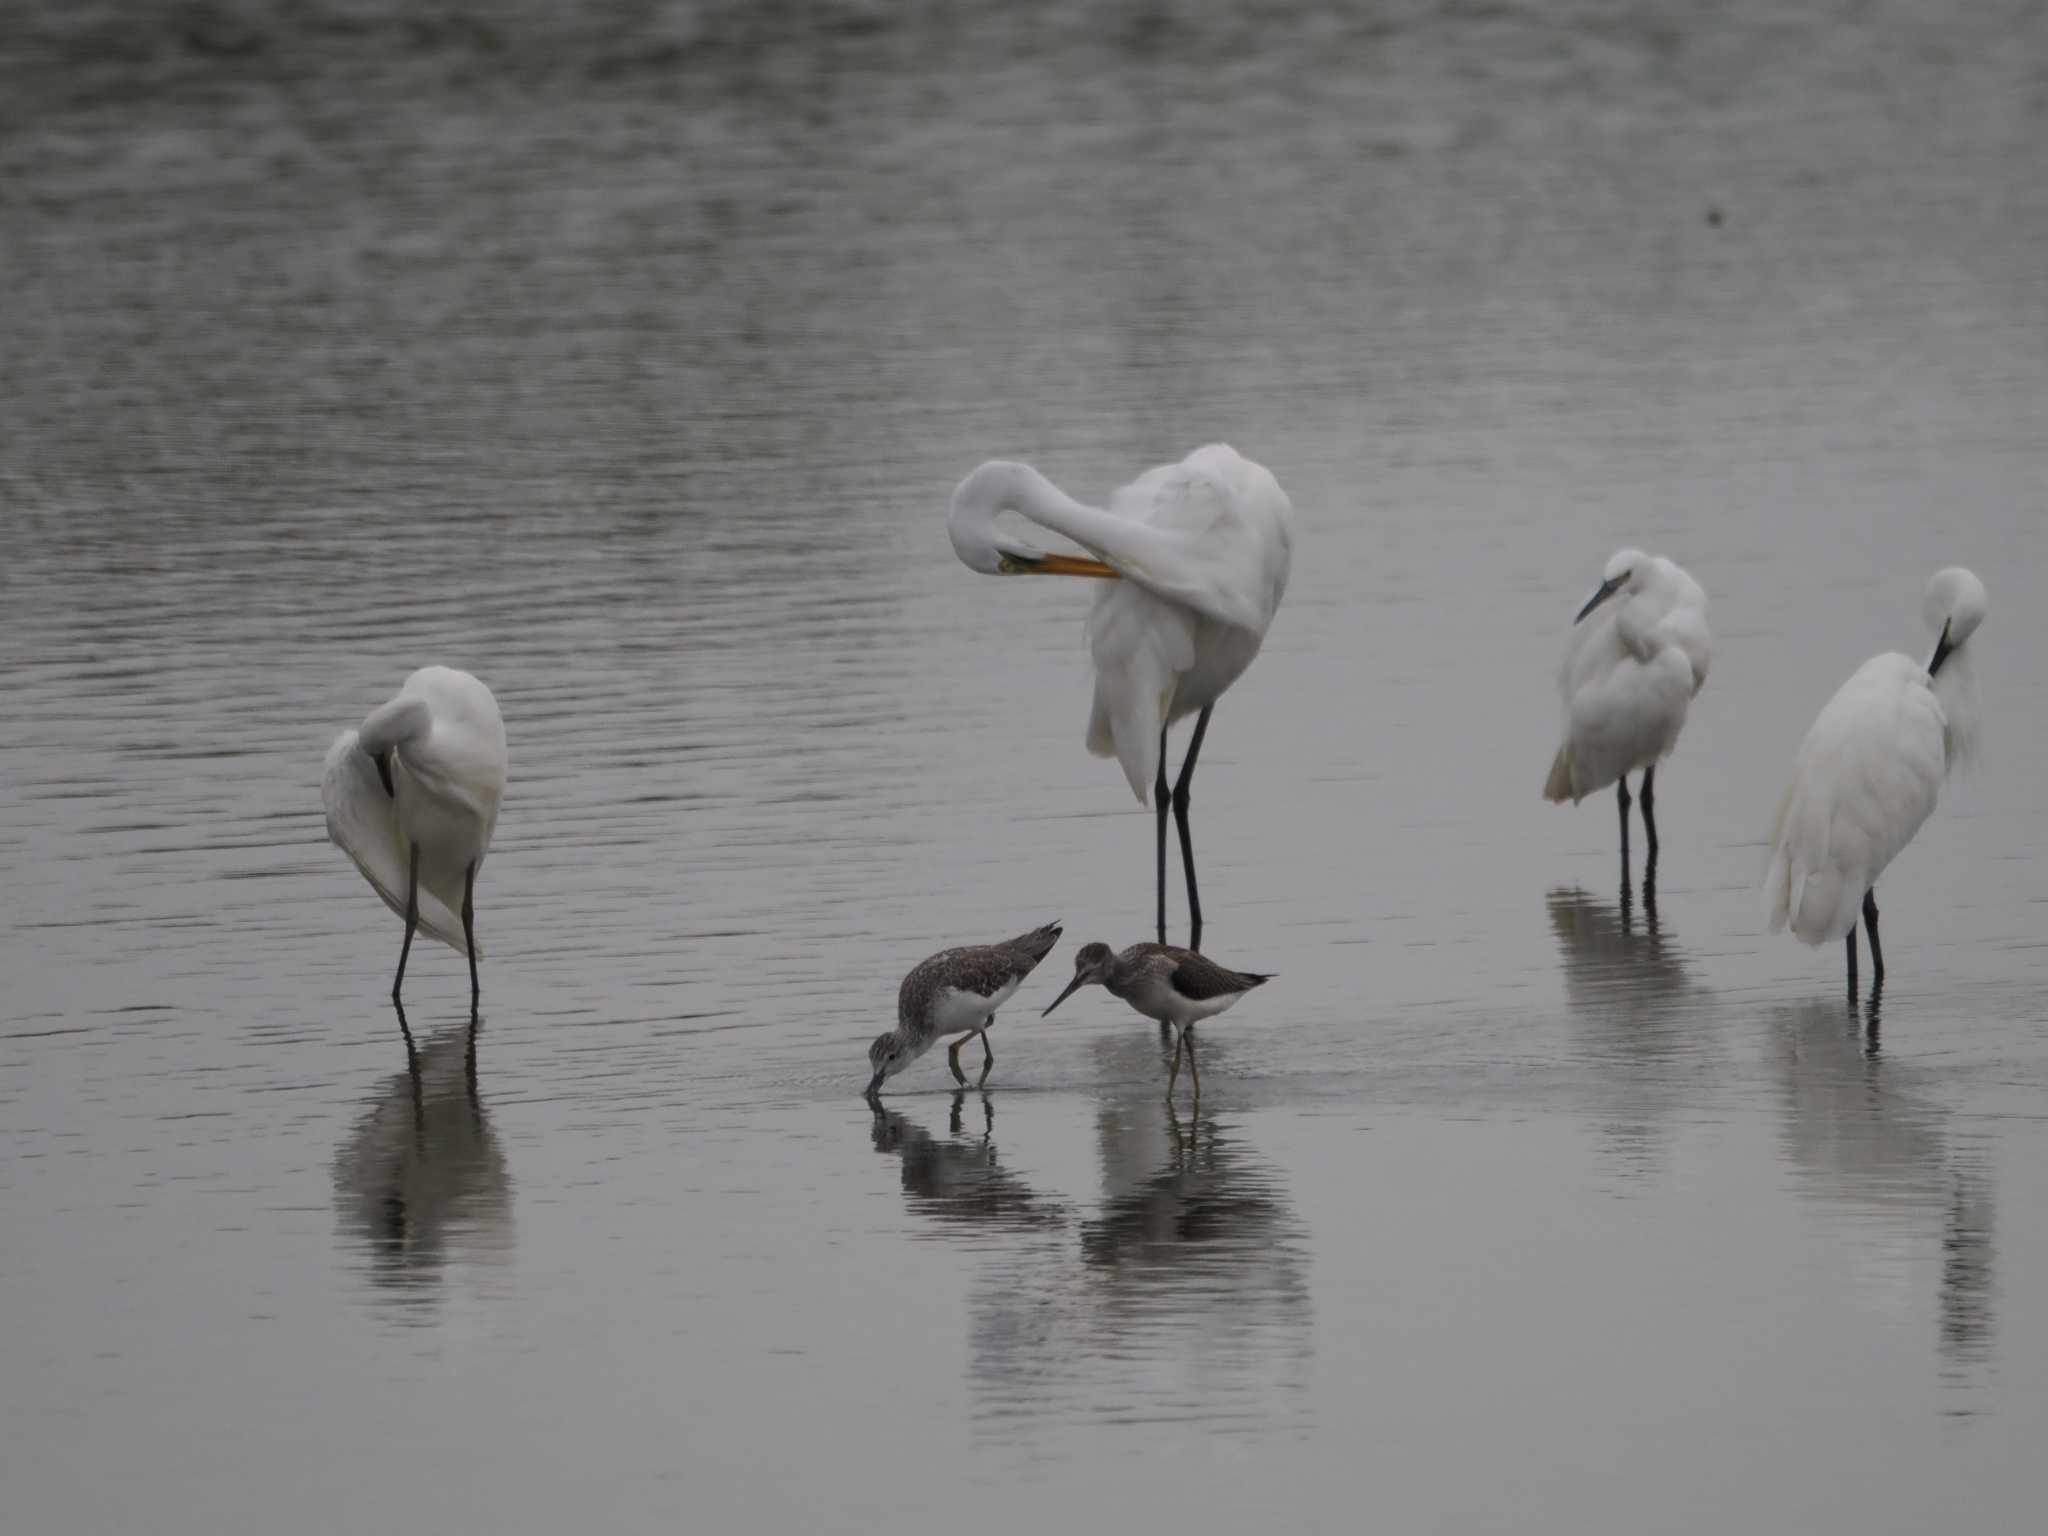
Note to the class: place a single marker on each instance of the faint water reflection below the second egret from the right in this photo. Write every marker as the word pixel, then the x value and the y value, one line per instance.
pixel 1631 1000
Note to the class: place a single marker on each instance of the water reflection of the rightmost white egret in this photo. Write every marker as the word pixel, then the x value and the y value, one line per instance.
pixel 1879 1156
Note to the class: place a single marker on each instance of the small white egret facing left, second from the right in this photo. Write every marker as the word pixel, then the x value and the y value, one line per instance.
pixel 1629 677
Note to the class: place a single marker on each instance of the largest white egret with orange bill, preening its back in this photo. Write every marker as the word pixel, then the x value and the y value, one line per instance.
pixel 1203 550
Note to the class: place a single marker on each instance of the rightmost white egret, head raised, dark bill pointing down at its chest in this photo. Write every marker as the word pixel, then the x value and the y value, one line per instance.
pixel 1869 773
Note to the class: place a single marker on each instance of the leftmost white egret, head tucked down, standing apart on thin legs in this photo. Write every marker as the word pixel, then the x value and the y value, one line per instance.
pixel 413 800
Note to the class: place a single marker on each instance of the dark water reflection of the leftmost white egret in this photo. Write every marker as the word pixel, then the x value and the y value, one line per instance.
pixel 421 1183
